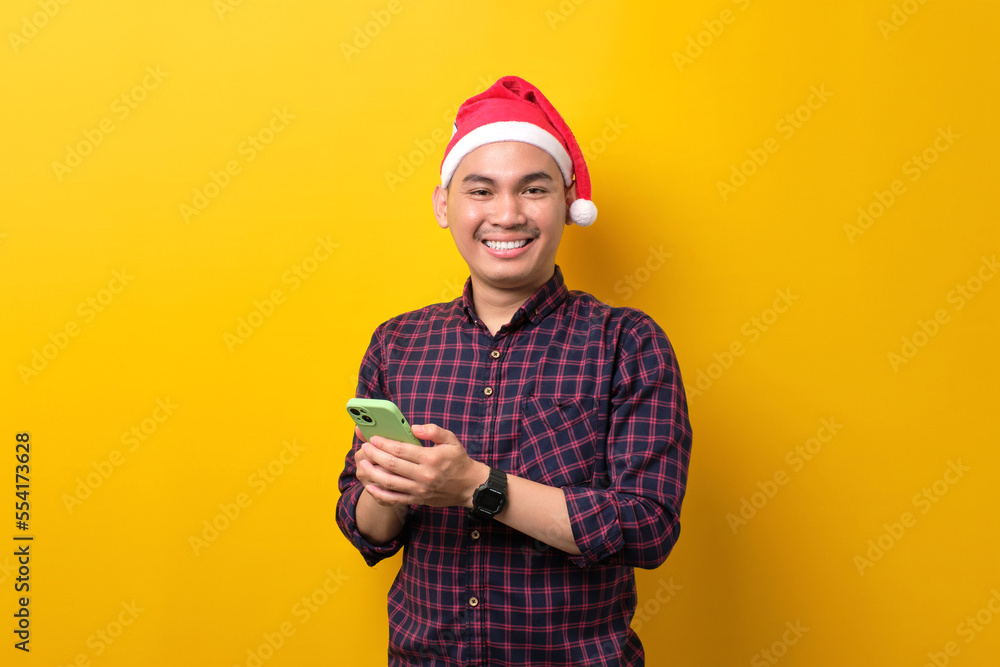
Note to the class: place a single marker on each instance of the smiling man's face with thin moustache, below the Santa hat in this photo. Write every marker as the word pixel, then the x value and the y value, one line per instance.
pixel 506 209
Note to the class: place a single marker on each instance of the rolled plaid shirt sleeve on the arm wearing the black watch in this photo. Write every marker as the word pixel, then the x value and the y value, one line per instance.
pixel 648 453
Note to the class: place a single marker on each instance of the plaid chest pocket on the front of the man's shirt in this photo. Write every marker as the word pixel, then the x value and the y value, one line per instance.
pixel 558 440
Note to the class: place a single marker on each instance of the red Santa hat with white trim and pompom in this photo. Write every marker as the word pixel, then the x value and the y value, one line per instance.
pixel 514 110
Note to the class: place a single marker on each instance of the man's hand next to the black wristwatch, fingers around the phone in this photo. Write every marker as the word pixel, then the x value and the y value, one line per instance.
pixel 398 473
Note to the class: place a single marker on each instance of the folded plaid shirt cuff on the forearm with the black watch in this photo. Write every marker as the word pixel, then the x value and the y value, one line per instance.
pixel 594 520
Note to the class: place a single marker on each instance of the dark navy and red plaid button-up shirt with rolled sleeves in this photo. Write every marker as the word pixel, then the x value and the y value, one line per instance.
pixel 571 393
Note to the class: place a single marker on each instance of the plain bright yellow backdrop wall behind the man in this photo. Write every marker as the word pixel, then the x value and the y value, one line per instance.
pixel 662 133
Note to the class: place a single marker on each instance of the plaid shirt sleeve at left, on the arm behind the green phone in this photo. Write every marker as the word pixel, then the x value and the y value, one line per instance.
pixel 370 385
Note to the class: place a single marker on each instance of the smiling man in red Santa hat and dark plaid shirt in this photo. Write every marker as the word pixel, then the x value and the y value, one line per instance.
pixel 557 425
